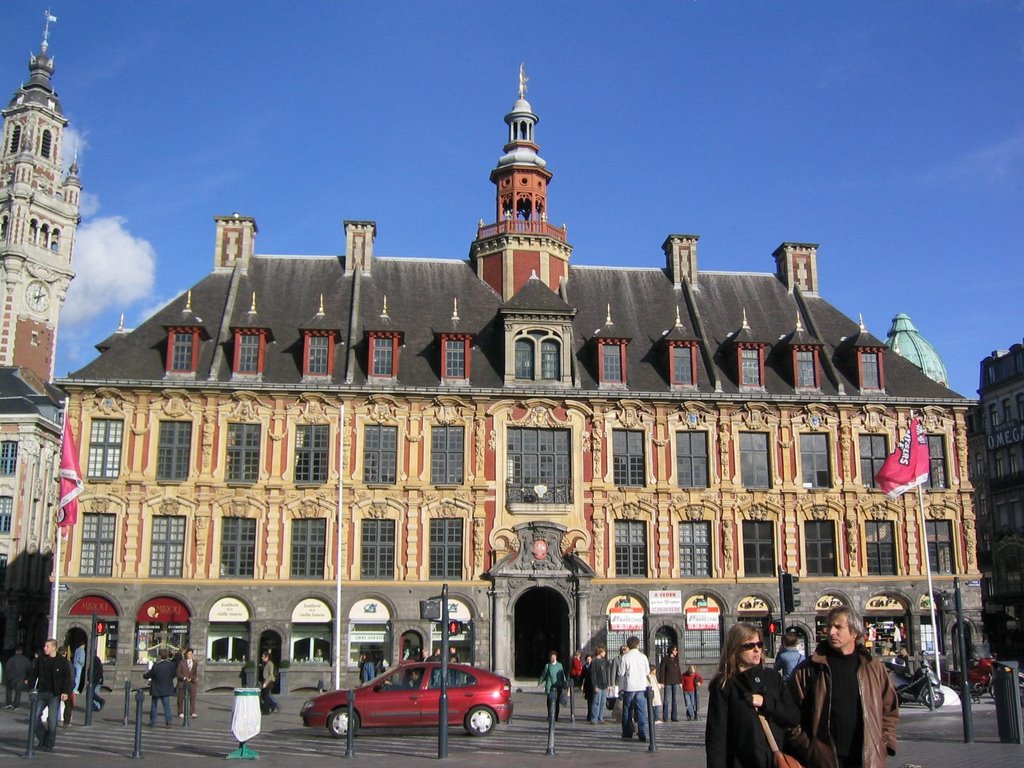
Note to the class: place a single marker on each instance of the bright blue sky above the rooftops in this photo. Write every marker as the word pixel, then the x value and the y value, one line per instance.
pixel 891 134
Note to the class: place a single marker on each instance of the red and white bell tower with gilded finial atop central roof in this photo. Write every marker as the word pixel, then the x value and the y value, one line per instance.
pixel 521 242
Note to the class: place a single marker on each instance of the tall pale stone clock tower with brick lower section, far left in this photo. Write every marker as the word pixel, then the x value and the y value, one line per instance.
pixel 39 206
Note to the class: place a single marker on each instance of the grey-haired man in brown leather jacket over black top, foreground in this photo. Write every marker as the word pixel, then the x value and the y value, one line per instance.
pixel 848 704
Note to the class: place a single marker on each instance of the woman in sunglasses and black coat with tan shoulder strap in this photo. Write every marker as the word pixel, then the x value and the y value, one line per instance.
pixel 742 690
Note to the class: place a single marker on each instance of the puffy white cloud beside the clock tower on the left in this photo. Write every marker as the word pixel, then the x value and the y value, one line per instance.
pixel 113 270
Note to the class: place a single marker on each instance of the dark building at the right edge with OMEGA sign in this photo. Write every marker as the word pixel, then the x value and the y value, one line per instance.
pixel 998 475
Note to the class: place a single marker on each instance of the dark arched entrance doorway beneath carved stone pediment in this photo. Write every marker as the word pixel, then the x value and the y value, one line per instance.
pixel 542 625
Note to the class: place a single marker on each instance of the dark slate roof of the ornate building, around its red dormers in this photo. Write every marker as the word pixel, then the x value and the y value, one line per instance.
pixel 420 306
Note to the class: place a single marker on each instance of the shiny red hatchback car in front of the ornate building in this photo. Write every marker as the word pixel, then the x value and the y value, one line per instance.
pixel 409 696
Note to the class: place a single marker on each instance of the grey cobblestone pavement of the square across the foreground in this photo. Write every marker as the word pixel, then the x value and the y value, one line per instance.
pixel 927 740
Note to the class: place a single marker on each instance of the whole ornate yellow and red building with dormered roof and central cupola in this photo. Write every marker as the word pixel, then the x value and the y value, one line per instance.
pixel 580 453
